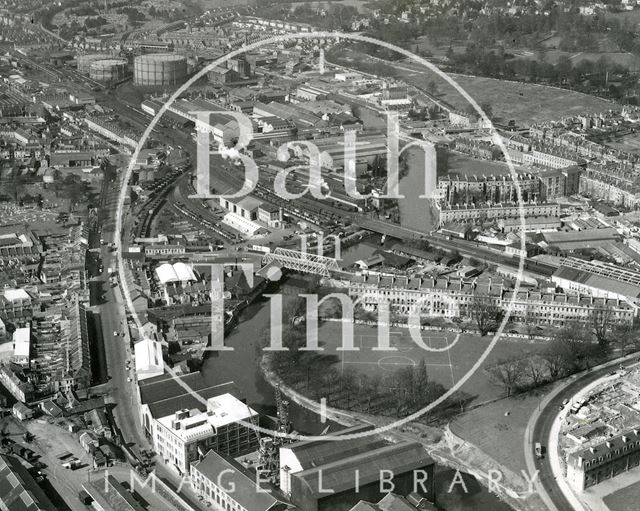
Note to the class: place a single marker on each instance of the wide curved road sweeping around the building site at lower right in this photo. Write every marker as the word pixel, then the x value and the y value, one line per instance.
pixel 542 421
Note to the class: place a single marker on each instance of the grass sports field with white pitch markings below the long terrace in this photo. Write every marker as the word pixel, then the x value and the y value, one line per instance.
pixel 455 356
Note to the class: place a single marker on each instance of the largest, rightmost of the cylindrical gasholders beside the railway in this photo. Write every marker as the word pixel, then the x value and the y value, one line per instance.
pixel 159 70
